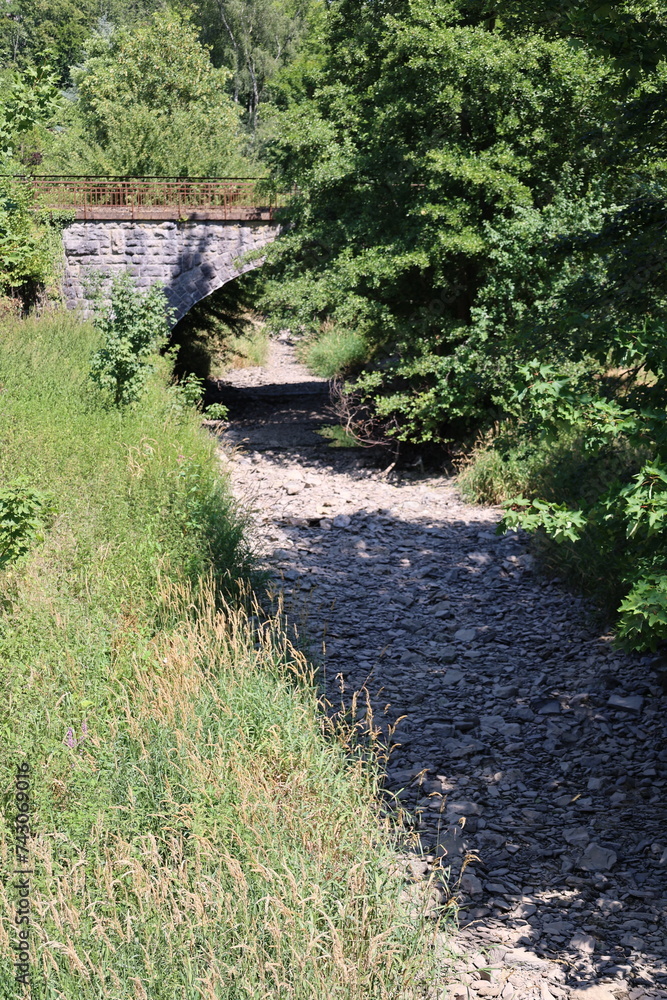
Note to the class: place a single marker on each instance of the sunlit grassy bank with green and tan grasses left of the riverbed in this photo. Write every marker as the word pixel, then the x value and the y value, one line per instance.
pixel 196 831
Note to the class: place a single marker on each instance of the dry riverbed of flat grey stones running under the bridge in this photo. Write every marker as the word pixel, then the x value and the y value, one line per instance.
pixel 520 716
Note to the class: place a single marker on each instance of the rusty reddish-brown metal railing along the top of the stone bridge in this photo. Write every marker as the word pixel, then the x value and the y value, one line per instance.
pixel 169 197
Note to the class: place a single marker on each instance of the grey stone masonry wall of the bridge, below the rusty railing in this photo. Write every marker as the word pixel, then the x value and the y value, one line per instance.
pixel 191 259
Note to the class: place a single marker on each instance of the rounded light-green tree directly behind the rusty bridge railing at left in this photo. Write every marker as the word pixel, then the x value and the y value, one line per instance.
pixel 147 100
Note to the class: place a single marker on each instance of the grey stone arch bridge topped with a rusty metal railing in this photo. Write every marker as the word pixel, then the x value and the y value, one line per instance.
pixel 191 234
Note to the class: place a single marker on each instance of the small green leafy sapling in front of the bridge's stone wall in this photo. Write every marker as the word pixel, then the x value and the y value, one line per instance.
pixel 134 327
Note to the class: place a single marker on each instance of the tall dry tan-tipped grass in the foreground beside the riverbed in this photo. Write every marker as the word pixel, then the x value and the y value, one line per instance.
pixel 214 835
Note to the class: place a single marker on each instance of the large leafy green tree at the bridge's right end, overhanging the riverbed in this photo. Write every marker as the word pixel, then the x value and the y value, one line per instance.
pixel 422 131
